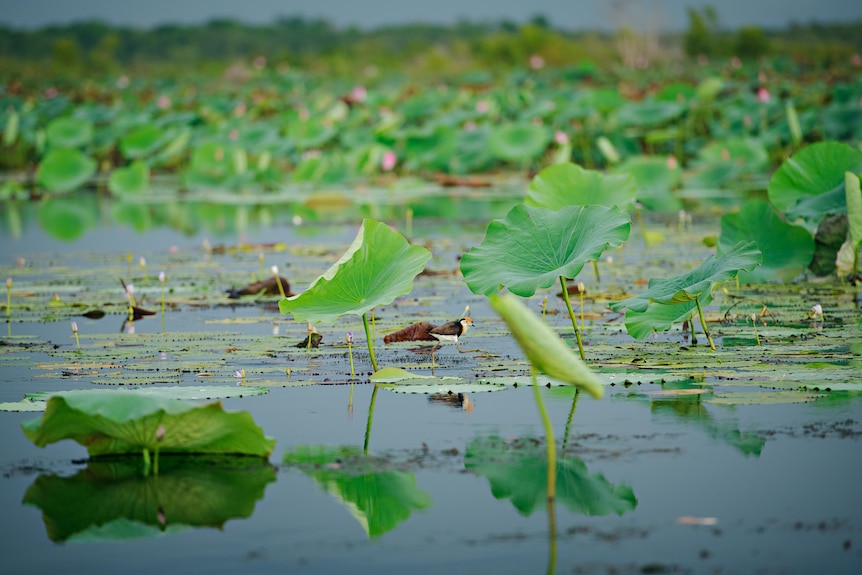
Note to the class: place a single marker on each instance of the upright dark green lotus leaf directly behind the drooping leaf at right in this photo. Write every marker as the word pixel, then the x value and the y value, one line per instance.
pixel 787 249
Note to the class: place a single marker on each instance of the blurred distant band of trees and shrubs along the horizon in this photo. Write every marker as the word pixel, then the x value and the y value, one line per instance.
pixel 94 47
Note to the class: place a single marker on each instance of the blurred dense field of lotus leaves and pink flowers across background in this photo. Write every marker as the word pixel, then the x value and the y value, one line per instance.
pixel 684 135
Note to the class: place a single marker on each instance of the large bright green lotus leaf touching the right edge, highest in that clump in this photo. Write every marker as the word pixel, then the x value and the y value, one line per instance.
pixel 810 184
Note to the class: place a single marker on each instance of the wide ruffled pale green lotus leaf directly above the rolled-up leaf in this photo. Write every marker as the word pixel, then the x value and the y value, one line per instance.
pixel 532 247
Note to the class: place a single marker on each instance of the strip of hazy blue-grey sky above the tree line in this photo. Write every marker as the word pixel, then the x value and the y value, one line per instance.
pixel 565 14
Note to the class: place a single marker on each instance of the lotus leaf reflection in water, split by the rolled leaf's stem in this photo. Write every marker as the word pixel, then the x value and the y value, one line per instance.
pixel 521 475
